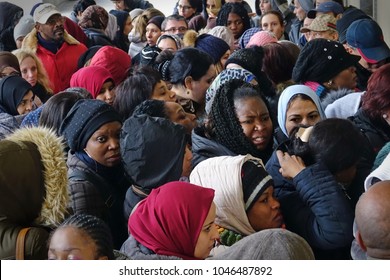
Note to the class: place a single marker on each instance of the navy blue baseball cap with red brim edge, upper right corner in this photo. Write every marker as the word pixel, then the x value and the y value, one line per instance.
pixel 367 37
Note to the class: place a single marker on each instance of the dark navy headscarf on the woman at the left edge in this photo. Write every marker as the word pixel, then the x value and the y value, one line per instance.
pixel 12 91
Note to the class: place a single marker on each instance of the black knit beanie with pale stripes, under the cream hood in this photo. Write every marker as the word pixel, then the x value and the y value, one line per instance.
pixel 255 180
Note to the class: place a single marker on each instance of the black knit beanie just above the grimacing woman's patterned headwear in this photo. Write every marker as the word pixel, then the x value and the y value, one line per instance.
pixel 250 59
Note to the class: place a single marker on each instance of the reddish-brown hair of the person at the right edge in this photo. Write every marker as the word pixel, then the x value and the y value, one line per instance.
pixel 376 100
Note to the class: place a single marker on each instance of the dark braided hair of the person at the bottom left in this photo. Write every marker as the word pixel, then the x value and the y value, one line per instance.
pixel 96 229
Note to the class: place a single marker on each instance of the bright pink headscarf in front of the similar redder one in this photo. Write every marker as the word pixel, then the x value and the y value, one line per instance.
pixel 91 78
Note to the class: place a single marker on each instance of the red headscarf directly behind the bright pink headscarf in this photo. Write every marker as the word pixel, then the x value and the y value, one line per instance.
pixel 115 60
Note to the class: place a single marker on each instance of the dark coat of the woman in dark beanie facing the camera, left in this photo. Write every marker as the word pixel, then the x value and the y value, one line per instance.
pixel 98 197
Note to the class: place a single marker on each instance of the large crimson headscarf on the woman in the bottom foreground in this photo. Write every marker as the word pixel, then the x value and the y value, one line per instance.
pixel 171 218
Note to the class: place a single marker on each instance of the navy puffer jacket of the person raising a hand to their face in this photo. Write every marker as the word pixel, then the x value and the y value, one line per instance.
pixel 315 207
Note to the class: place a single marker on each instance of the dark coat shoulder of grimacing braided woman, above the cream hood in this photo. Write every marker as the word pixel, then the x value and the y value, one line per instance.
pixel 204 148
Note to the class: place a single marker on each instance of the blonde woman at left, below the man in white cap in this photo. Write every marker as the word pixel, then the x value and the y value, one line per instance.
pixel 32 71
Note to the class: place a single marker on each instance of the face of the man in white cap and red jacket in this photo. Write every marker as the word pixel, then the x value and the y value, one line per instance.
pixel 53 29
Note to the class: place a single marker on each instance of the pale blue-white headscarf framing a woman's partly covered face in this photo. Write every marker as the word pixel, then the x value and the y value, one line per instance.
pixel 285 98
